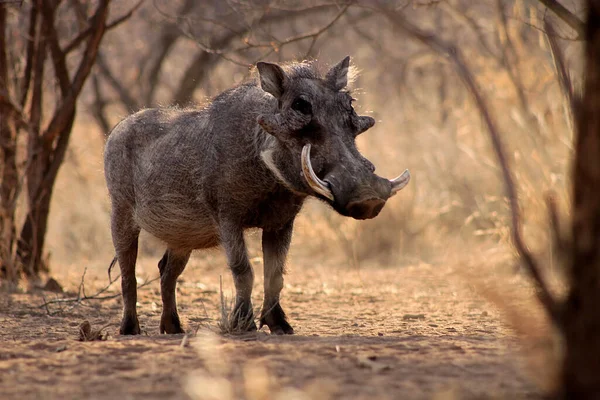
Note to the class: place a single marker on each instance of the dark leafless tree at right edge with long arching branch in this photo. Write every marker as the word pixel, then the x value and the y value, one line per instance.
pixel 576 317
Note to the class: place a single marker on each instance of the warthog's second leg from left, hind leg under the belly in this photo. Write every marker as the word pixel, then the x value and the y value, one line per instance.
pixel 171 266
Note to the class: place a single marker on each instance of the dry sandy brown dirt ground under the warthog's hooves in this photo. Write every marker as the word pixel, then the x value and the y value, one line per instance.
pixel 392 333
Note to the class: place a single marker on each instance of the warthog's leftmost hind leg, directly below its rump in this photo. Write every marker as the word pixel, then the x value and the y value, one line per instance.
pixel 125 238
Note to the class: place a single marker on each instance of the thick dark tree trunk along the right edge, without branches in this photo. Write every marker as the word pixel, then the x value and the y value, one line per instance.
pixel 581 368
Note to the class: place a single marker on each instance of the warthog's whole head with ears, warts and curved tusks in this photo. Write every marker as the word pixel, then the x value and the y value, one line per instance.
pixel 316 123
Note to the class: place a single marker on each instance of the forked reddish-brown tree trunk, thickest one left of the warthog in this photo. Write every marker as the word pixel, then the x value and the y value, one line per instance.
pixel 47 148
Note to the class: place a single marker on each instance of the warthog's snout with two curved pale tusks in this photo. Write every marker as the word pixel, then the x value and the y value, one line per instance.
pixel 353 191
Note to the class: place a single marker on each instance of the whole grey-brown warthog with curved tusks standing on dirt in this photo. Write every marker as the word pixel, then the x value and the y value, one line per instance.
pixel 198 178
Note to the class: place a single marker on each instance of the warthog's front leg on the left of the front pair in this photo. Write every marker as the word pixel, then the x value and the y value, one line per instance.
pixel 232 239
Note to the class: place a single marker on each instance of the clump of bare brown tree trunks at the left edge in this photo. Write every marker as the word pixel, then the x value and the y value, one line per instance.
pixel 46 145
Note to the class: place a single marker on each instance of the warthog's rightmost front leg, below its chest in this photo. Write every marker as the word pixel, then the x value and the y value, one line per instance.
pixel 275 247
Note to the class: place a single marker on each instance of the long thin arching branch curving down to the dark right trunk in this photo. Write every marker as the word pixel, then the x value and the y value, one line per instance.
pixel 445 49
